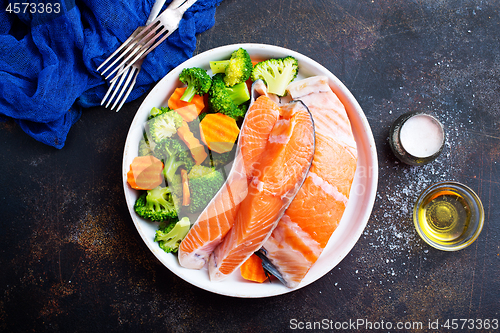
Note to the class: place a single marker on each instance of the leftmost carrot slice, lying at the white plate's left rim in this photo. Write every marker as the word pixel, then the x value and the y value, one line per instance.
pixel 145 173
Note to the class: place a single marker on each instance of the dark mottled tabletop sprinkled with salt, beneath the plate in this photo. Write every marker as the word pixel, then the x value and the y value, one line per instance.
pixel 72 260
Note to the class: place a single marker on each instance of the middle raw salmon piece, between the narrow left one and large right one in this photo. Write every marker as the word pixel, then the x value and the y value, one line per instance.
pixel 275 179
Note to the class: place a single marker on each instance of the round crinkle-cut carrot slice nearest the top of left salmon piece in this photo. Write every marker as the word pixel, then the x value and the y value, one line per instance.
pixel 219 132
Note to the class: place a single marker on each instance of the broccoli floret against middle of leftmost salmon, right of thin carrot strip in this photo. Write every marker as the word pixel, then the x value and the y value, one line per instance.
pixel 204 183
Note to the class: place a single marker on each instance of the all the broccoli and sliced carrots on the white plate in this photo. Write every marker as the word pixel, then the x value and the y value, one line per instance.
pixel 187 147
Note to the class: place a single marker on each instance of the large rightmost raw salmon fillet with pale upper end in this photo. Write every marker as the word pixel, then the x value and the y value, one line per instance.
pixel 314 214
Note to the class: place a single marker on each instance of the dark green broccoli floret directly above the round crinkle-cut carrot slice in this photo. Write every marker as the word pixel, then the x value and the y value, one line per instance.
pixel 229 101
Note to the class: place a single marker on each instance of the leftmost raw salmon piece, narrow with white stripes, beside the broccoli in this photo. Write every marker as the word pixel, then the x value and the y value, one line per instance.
pixel 218 217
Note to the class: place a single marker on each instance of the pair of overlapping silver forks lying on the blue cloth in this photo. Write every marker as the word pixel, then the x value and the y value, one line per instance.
pixel 133 51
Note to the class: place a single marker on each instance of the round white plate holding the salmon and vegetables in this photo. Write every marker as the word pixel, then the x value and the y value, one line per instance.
pixel 362 195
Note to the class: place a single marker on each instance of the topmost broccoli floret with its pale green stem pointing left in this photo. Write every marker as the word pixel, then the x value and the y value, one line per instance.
pixel 237 69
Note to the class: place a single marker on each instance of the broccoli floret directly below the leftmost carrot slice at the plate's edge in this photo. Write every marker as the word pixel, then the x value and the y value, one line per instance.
pixel 156 205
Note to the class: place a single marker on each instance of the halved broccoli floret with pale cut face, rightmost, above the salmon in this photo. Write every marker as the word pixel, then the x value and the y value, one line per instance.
pixel 276 73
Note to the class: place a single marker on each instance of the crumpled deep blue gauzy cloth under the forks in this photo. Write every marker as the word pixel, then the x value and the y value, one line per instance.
pixel 48 61
